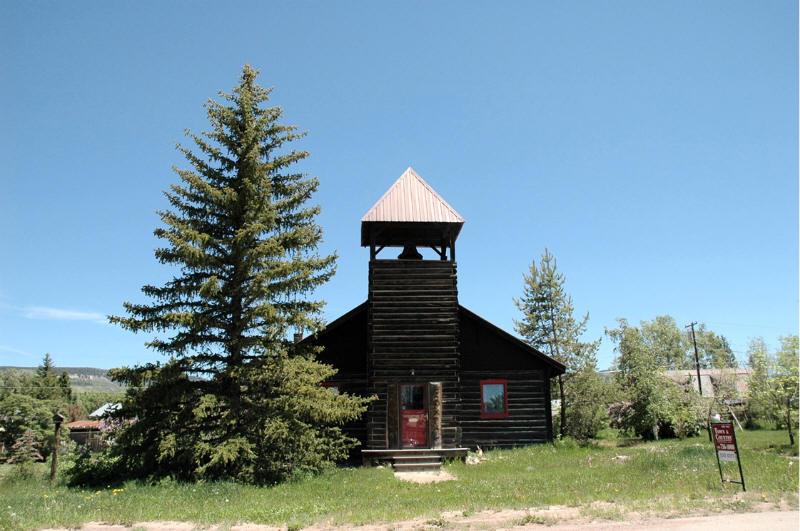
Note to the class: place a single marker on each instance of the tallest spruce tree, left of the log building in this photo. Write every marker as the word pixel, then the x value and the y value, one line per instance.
pixel 236 398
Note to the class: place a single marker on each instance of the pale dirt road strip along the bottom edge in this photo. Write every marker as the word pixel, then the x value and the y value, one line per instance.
pixel 555 518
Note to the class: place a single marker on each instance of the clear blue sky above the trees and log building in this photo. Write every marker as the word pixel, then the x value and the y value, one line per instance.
pixel 651 146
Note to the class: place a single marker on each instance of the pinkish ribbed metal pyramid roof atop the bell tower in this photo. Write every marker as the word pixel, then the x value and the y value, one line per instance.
pixel 411 199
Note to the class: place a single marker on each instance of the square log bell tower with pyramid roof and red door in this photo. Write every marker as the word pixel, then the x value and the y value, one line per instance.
pixel 413 331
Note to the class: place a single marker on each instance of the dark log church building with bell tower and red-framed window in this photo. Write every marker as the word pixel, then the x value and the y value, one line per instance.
pixel 445 379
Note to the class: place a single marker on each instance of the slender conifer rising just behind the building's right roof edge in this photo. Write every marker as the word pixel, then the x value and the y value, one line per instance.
pixel 549 325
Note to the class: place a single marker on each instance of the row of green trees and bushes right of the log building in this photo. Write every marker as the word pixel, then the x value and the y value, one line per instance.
pixel 641 398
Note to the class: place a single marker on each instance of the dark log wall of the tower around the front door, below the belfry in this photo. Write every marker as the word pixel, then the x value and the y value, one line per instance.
pixel 412 338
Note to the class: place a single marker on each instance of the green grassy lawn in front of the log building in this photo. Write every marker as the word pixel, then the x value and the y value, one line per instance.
pixel 664 477
